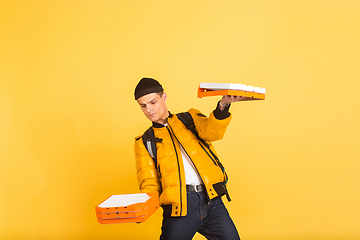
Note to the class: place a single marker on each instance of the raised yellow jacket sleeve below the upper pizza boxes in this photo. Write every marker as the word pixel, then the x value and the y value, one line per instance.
pixel 209 128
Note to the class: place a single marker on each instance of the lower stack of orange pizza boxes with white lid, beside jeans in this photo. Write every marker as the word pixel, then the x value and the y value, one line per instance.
pixel 127 208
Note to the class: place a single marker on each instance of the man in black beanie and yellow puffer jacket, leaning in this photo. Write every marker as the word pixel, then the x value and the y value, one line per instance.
pixel 187 175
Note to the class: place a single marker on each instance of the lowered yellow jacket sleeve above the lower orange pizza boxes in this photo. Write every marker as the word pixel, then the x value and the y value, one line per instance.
pixel 147 174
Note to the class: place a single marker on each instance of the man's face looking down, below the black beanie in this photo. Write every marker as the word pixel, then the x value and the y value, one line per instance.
pixel 154 107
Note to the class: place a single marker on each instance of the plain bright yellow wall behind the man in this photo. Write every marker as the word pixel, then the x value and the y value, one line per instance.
pixel 68 118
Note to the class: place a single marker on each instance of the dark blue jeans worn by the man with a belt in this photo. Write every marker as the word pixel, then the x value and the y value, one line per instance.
pixel 209 219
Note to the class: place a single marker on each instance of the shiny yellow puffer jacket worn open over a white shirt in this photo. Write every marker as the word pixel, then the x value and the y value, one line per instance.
pixel 168 177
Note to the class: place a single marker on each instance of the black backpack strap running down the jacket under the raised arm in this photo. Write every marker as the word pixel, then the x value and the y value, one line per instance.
pixel 188 121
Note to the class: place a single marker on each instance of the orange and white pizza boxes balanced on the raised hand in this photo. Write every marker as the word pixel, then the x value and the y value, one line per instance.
pixel 235 89
